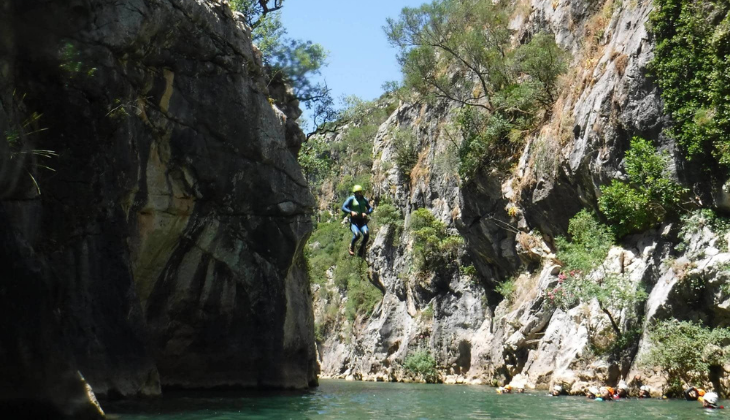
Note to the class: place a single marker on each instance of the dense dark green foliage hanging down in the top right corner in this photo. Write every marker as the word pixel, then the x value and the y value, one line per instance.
pixel 691 68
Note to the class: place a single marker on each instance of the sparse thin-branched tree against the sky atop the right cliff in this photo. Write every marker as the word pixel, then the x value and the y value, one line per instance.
pixel 453 49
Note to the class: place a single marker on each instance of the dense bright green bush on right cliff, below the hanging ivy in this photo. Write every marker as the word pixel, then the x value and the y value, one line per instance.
pixel 650 195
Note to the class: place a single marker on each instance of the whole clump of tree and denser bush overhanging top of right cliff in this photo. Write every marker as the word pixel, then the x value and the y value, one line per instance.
pixel 460 50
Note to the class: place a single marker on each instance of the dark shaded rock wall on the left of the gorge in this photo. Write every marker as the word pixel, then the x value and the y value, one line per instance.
pixel 173 225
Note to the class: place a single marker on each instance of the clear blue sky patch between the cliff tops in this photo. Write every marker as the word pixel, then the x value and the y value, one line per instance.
pixel 360 58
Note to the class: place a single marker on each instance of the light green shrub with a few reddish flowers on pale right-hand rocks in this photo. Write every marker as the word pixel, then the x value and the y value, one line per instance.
pixel 585 277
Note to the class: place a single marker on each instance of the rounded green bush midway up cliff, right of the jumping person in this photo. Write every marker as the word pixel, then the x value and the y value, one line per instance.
pixel 433 247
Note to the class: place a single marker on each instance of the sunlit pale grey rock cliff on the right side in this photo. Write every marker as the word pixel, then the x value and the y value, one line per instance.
pixel 509 220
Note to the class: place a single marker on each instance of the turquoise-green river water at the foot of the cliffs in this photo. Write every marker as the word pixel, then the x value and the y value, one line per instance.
pixel 368 400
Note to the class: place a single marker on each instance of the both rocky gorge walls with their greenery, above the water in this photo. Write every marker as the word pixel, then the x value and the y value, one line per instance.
pixel 166 224
